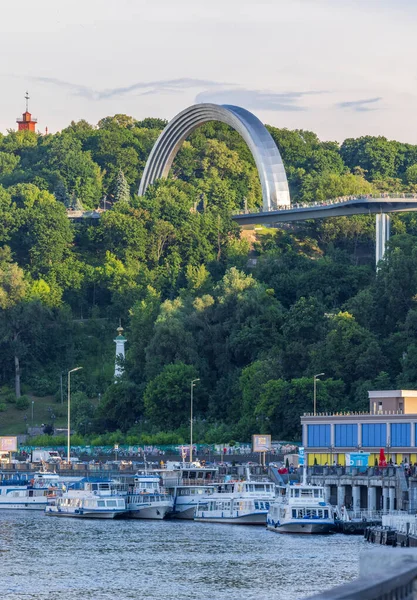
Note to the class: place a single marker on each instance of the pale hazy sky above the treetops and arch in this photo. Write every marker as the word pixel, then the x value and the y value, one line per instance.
pixel 340 68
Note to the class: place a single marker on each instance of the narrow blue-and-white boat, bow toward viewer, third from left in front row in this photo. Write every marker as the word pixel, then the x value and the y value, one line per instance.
pixel 146 500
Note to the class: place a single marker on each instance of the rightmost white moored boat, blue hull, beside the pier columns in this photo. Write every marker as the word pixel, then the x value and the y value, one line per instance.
pixel 301 508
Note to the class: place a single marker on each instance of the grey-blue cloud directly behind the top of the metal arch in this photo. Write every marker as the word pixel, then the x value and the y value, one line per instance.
pixel 256 99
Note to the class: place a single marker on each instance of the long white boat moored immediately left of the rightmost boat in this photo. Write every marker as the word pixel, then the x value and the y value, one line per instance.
pixel 244 502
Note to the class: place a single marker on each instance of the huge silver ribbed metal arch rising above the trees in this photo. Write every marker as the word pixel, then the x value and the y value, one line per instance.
pixel 268 160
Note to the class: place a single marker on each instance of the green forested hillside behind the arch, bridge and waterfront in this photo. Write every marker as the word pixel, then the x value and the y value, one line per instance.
pixel 252 315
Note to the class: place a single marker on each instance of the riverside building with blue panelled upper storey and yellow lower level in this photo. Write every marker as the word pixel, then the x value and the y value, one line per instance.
pixel 390 425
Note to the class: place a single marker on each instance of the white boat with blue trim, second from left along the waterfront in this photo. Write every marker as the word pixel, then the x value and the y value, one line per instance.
pixel 98 499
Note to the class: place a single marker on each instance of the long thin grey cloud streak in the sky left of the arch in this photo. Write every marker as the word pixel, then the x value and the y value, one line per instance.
pixel 148 87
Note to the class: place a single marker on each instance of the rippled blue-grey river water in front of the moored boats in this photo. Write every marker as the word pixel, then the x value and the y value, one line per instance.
pixel 43 558
